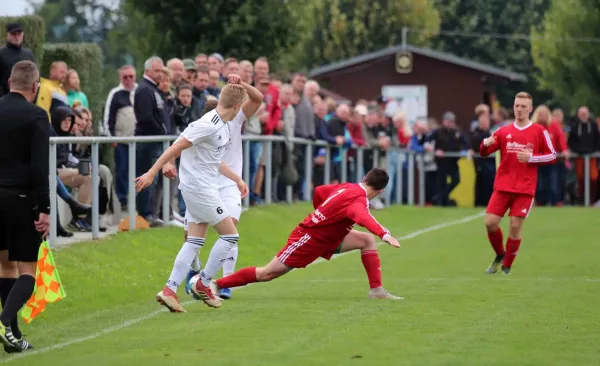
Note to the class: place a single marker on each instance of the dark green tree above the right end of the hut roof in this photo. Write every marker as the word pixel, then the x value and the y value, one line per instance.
pixel 511 22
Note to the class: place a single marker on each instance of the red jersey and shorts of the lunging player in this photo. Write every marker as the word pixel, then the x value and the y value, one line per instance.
pixel 337 208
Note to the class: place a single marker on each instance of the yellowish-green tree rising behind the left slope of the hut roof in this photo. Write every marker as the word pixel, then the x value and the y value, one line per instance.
pixel 337 29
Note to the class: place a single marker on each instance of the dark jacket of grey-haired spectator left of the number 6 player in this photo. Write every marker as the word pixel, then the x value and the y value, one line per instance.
pixel 150 110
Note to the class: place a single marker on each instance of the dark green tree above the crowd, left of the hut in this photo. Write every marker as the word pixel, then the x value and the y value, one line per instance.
pixel 241 28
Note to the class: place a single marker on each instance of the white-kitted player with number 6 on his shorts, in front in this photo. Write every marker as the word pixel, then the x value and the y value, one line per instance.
pixel 202 147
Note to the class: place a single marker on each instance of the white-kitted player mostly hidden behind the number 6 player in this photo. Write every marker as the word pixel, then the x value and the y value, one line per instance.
pixel 231 198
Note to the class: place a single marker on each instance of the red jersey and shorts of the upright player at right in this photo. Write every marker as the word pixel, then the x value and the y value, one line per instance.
pixel 516 182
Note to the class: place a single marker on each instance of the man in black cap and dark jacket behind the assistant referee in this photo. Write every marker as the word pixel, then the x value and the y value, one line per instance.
pixel 12 53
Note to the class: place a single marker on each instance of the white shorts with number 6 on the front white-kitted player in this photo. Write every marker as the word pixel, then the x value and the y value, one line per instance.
pixel 204 207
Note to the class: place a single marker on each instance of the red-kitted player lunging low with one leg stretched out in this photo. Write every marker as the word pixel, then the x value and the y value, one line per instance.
pixel 325 232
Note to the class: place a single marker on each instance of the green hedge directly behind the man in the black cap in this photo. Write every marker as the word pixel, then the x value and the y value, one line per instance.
pixel 35 33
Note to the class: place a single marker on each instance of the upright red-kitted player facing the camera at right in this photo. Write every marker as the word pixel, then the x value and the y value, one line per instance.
pixel 523 147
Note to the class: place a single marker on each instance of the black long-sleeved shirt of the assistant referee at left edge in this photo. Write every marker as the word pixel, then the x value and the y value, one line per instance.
pixel 24 140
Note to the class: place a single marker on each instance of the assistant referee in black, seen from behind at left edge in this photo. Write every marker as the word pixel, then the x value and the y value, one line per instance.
pixel 24 197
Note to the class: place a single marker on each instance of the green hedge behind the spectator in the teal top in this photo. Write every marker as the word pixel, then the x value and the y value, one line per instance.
pixel 86 58
